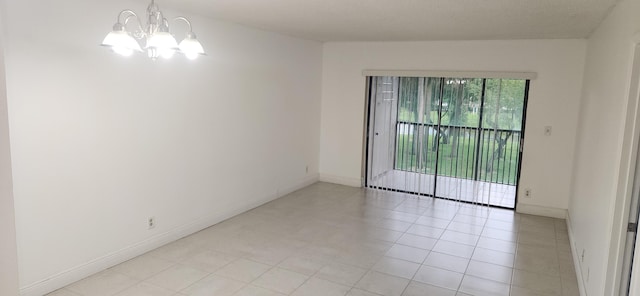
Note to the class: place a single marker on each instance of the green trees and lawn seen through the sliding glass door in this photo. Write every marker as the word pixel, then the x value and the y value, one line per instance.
pixel 455 102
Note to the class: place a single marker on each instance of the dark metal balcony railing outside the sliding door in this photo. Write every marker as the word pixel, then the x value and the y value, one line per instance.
pixel 483 154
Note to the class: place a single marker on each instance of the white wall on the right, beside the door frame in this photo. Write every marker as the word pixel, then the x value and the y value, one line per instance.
pixel 603 148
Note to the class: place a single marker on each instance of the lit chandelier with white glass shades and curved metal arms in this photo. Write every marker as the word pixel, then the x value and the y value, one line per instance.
pixel 154 37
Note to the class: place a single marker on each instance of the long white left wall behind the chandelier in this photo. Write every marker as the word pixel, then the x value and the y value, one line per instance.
pixel 102 142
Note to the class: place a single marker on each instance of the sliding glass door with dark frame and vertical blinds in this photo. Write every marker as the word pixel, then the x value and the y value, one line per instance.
pixel 455 138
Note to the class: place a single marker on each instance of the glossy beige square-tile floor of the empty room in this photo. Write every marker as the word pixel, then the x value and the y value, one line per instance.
pixel 334 240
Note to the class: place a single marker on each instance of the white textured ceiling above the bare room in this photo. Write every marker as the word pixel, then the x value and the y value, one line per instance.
pixel 408 20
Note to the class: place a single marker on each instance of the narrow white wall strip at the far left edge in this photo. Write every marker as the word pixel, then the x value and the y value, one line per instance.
pixel 8 252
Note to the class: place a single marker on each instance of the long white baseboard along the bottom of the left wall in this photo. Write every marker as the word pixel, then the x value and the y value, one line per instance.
pixel 77 273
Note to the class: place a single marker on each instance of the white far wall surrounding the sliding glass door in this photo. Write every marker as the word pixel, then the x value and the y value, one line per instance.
pixel 553 100
